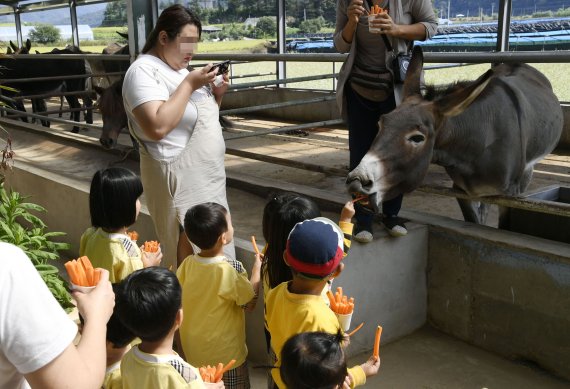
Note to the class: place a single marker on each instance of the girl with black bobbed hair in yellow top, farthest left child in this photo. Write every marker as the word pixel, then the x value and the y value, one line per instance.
pixel 114 206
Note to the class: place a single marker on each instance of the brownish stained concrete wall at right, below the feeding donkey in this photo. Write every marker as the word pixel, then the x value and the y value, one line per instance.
pixel 505 292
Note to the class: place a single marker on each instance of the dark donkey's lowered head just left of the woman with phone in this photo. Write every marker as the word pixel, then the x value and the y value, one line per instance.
pixel 110 105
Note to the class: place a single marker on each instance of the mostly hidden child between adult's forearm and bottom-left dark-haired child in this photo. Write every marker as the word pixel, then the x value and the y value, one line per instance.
pixel 119 340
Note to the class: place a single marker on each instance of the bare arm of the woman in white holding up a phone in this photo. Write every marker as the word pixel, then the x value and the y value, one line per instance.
pixel 158 118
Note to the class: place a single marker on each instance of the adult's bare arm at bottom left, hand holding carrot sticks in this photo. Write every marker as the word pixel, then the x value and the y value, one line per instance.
pixel 82 366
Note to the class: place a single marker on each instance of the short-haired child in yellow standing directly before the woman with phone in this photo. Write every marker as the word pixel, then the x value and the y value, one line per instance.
pixel 215 292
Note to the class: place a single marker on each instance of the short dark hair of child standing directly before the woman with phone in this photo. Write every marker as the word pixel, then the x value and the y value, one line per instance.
pixel 204 223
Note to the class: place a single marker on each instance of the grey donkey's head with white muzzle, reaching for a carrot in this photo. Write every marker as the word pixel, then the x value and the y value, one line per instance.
pixel 400 155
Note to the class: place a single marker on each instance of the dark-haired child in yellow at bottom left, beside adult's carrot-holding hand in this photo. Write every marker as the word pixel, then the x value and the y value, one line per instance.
pixel 148 302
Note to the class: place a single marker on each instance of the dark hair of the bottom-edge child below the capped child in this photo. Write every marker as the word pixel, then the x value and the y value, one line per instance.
pixel 313 360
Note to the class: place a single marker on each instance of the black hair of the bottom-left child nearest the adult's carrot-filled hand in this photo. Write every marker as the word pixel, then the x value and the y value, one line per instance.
pixel 147 302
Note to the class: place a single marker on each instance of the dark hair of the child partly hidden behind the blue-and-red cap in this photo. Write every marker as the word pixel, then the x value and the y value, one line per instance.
pixel 281 213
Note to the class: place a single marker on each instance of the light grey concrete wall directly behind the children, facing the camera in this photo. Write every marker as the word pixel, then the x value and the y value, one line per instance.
pixel 386 278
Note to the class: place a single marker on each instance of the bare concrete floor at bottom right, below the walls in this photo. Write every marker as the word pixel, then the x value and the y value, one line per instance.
pixel 428 359
